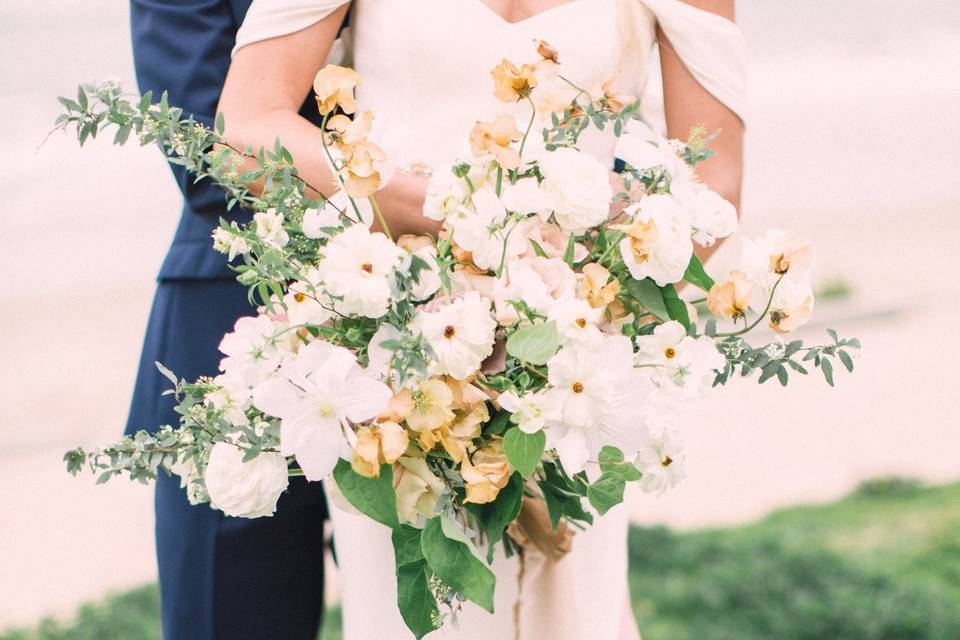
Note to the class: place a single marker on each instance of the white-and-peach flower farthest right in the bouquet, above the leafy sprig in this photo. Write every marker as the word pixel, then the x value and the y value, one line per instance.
pixel 778 253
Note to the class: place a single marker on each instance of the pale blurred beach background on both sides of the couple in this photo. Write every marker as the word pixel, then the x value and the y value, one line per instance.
pixel 846 143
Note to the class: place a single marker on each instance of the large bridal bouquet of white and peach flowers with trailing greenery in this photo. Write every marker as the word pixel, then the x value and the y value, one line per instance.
pixel 536 354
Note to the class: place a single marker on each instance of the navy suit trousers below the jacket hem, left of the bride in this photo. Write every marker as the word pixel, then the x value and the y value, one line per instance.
pixel 222 577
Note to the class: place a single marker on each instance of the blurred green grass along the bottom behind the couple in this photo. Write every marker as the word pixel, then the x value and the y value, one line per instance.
pixel 881 564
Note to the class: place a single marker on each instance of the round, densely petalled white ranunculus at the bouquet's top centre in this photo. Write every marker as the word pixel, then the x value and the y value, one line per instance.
pixel 580 188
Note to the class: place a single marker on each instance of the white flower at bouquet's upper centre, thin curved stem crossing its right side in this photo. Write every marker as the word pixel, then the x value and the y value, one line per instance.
pixel 486 232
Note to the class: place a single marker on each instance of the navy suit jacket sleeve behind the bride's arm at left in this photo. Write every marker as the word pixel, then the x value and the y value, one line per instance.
pixel 183 47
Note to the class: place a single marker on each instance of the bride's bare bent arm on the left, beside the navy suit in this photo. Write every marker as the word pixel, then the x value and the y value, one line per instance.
pixel 265 87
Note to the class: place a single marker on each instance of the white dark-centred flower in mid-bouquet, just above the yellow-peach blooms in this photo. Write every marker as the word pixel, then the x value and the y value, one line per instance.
pixel 461 334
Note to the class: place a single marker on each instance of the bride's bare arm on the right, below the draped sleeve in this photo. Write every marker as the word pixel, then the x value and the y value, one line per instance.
pixel 688 104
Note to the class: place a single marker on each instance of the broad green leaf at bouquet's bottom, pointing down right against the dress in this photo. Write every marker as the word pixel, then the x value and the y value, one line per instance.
pixel 453 558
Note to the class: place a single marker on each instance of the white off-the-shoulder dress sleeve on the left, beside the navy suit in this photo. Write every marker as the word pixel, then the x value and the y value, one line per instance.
pixel 272 18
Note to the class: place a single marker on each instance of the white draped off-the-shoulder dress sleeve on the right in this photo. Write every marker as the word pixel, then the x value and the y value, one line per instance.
pixel 710 46
